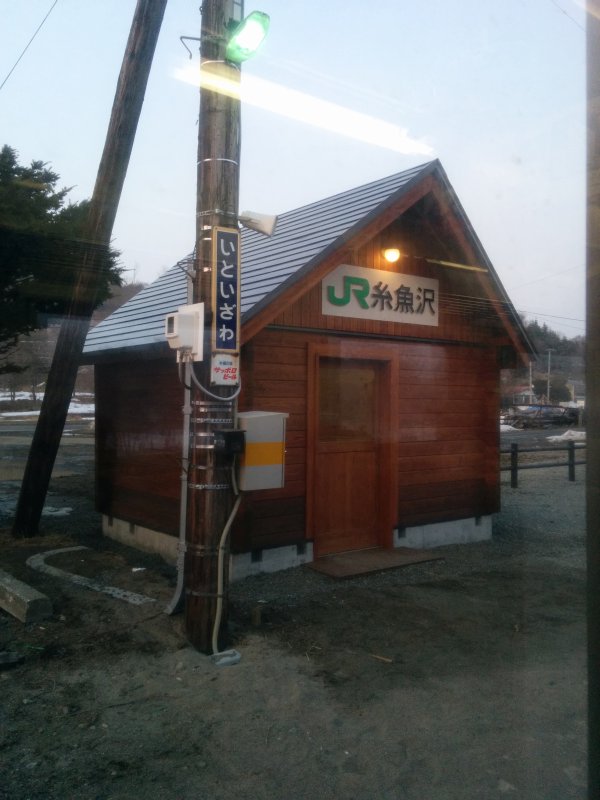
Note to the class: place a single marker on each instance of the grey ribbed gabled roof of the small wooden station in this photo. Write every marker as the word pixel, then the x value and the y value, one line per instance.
pixel 303 238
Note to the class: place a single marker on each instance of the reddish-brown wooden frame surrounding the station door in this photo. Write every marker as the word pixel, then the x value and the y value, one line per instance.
pixel 387 357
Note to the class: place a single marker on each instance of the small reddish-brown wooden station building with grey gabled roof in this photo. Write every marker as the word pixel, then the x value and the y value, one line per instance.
pixel 389 373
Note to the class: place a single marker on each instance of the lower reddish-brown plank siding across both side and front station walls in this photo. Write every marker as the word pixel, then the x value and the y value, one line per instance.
pixel 445 436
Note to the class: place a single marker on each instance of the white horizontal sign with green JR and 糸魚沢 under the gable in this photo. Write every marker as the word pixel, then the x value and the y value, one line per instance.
pixel 374 294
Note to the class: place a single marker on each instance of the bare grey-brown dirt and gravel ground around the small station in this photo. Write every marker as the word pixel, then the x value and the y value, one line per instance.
pixel 463 678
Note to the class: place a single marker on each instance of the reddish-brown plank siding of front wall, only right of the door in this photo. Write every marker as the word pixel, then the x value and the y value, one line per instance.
pixel 448 434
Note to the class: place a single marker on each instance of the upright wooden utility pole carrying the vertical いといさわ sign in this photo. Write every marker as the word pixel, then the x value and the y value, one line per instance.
pixel 210 488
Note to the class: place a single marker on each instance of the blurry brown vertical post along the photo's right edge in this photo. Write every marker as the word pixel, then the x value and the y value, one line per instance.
pixel 593 394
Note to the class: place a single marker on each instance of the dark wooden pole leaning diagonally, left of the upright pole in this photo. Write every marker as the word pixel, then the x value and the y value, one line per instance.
pixel 126 109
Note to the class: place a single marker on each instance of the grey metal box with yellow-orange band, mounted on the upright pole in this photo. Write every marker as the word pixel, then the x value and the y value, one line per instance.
pixel 263 464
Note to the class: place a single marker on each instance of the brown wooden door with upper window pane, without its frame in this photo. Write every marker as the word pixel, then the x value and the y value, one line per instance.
pixel 347 479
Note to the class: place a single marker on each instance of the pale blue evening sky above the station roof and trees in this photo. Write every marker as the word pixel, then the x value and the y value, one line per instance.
pixel 495 90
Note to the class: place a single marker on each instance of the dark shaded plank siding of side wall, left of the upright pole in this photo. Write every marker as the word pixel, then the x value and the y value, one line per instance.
pixel 138 443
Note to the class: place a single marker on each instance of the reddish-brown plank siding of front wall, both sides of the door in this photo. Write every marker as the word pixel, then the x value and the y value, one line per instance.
pixel 445 434
